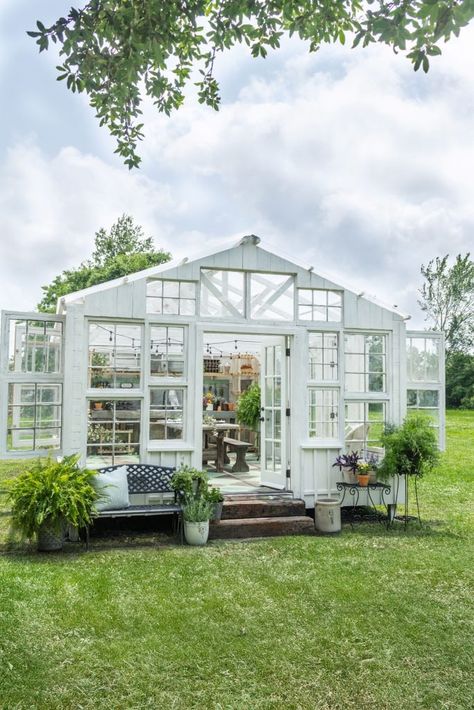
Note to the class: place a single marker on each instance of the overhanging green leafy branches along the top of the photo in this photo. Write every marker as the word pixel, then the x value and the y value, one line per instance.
pixel 115 49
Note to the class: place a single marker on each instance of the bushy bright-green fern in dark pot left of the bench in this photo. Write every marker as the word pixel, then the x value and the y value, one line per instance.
pixel 50 495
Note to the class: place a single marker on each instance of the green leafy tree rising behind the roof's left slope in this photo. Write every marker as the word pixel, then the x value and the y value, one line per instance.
pixel 119 252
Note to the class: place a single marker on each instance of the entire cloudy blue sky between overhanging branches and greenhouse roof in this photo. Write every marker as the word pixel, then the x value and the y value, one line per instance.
pixel 345 160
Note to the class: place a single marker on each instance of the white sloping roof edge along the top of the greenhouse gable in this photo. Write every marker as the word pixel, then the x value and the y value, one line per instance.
pixel 282 263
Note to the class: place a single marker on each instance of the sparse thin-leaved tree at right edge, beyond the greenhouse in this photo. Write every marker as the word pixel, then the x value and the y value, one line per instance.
pixel 447 298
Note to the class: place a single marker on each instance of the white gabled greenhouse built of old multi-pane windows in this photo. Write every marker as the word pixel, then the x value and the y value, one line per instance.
pixel 150 368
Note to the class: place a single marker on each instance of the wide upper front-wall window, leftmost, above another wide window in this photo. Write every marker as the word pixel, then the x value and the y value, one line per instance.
pixel 114 355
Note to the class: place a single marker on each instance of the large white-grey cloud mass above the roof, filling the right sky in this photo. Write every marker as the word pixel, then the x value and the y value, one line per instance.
pixel 352 159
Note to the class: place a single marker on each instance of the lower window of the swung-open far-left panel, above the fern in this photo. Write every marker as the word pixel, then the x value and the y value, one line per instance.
pixel 34 416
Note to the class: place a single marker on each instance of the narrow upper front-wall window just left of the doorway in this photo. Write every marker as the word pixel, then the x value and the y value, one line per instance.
pixel 166 351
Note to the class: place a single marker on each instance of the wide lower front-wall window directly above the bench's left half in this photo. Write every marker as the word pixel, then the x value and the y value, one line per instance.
pixel 113 432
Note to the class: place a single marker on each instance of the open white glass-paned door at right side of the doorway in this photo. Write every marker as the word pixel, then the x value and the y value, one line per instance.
pixel 273 433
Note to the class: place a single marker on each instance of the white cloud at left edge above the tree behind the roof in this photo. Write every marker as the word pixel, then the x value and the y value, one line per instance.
pixel 50 209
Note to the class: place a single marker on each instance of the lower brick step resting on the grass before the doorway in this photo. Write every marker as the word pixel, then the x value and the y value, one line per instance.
pixel 261 527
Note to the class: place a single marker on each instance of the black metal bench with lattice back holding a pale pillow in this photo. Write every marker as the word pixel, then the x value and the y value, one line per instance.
pixel 146 479
